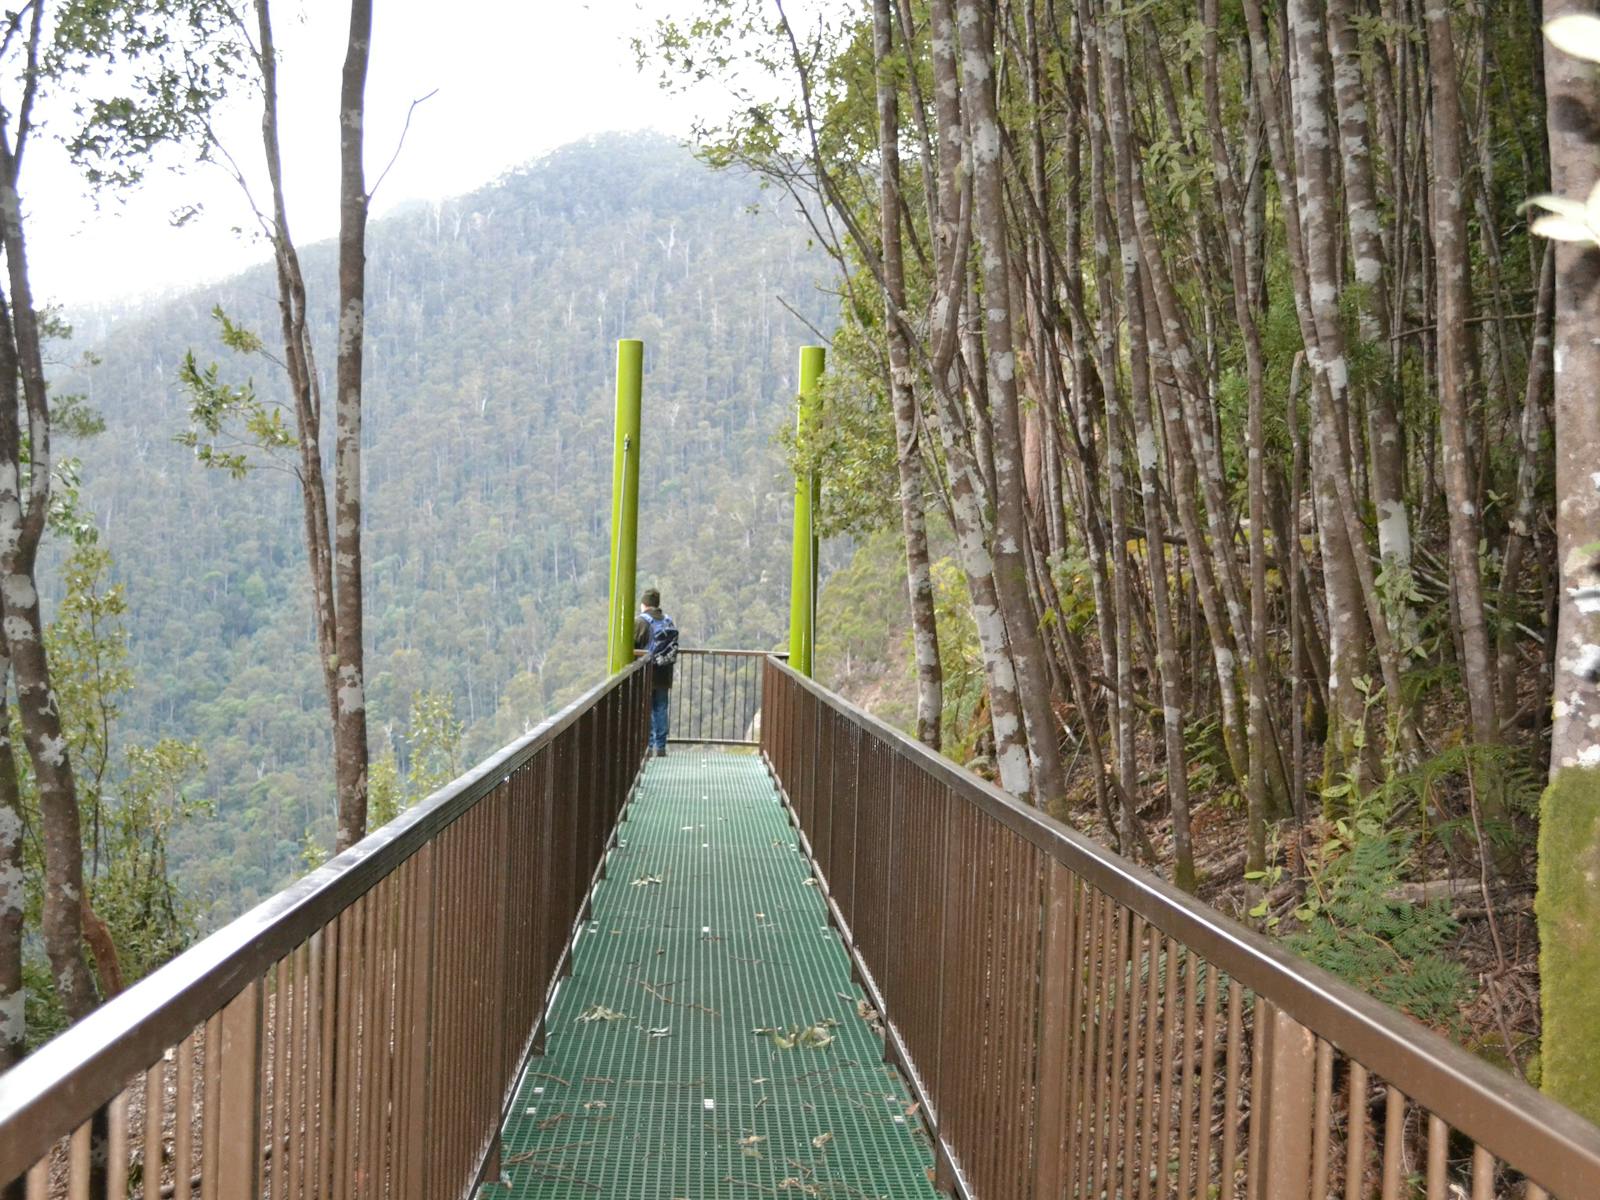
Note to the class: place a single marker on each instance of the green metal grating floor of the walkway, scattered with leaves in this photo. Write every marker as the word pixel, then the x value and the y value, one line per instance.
pixel 703 934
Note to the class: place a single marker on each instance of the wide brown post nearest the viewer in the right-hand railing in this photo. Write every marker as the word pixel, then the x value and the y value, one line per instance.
pixel 1284 1092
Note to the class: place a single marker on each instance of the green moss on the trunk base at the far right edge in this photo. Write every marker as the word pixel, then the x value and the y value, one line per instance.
pixel 1569 911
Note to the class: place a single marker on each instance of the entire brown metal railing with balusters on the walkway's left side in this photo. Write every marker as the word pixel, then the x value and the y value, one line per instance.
pixel 359 1034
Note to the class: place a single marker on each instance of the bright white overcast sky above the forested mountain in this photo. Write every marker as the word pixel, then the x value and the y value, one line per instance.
pixel 514 79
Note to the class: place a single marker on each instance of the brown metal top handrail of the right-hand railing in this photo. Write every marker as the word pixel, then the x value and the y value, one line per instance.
pixel 1498 1111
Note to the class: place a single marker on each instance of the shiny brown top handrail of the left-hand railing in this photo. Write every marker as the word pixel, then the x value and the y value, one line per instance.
pixel 55 1089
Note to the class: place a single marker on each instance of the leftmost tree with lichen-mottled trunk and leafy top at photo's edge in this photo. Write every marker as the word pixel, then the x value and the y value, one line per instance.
pixel 113 81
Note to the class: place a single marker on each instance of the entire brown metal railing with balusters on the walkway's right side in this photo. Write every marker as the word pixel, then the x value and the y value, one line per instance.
pixel 1078 1028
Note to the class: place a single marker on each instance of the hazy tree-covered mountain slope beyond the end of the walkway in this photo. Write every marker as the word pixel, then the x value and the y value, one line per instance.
pixel 492 329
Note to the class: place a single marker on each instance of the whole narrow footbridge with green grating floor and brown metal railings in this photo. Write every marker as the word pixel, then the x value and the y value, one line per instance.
pixel 798 956
